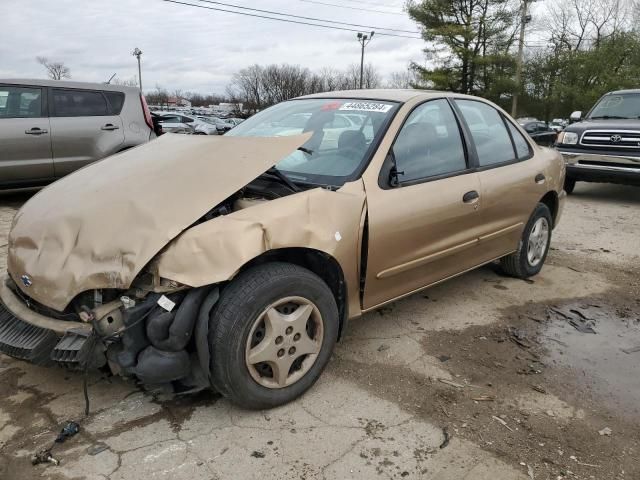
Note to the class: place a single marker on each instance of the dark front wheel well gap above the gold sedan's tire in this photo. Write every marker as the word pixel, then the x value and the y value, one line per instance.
pixel 320 263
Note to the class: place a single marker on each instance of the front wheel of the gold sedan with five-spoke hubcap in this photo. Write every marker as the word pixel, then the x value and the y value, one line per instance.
pixel 248 322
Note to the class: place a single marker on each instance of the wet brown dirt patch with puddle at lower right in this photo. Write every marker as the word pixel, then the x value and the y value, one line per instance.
pixel 533 388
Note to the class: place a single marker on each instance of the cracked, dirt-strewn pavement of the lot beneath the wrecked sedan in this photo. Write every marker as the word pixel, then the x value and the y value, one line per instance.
pixel 439 361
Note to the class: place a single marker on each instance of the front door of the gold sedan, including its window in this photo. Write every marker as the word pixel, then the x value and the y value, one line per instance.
pixel 424 220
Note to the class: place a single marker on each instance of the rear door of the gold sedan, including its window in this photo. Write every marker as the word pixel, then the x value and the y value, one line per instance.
pixel 510 176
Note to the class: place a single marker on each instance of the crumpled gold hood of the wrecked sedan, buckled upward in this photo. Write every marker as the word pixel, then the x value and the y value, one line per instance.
pixel 98 227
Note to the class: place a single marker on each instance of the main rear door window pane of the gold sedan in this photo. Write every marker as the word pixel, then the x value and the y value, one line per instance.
pixel 488 131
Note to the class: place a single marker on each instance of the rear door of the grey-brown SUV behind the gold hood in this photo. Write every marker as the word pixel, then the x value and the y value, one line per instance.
pixel 83 128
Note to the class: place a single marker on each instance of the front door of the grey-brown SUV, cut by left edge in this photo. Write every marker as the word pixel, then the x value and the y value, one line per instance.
pixel 25 142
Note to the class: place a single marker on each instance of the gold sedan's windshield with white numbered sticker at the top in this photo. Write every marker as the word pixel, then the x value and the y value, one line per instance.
pixel 343 131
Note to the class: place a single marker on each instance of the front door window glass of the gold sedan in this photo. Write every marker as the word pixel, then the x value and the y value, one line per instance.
pixel 429 143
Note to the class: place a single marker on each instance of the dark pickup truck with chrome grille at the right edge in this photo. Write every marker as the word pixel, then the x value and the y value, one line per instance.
pixel 604 145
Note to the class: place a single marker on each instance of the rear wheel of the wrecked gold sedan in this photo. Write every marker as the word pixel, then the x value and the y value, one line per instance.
pixel 526 262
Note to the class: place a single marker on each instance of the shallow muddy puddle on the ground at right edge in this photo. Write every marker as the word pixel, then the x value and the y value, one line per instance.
pixel 598 359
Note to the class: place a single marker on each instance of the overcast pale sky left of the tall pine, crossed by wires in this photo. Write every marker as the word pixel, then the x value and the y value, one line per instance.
pixel 189 48
